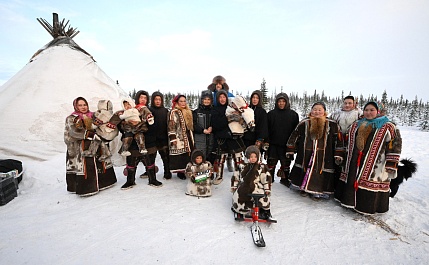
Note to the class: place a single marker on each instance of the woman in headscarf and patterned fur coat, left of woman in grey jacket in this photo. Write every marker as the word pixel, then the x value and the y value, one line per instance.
pixel 180 134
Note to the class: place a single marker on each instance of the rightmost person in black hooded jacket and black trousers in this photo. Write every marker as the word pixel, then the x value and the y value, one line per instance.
pixel 281 123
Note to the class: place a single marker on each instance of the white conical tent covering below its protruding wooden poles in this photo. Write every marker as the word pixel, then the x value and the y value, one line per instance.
pixel 35 102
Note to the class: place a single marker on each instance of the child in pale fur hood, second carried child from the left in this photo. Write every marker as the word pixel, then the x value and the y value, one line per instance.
pixel 134 125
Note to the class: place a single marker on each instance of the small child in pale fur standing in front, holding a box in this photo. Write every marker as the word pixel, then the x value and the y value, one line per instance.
pixel 200 172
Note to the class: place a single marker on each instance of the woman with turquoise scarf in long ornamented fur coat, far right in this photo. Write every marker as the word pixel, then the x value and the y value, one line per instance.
pixel 373 152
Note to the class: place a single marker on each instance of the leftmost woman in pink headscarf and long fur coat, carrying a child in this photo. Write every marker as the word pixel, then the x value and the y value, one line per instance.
pixel 84 175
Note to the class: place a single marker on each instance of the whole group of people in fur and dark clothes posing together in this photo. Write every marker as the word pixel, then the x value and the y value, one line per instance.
pixel 351 155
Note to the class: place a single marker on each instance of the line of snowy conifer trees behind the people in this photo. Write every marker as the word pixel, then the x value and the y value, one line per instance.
pixel 401 111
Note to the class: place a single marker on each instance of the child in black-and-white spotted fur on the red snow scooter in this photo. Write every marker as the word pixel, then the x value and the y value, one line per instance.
pixel 255 178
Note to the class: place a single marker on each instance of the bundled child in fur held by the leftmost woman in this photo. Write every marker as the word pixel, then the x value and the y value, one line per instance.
pixel 100 119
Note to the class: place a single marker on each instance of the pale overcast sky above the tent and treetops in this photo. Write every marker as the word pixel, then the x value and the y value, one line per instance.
pixel 362 47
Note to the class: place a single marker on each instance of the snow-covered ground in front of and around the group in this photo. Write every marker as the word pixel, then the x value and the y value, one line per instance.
pixel 145 225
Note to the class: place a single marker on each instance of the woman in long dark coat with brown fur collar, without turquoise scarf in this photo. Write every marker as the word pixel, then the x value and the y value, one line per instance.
pixel 316 142
